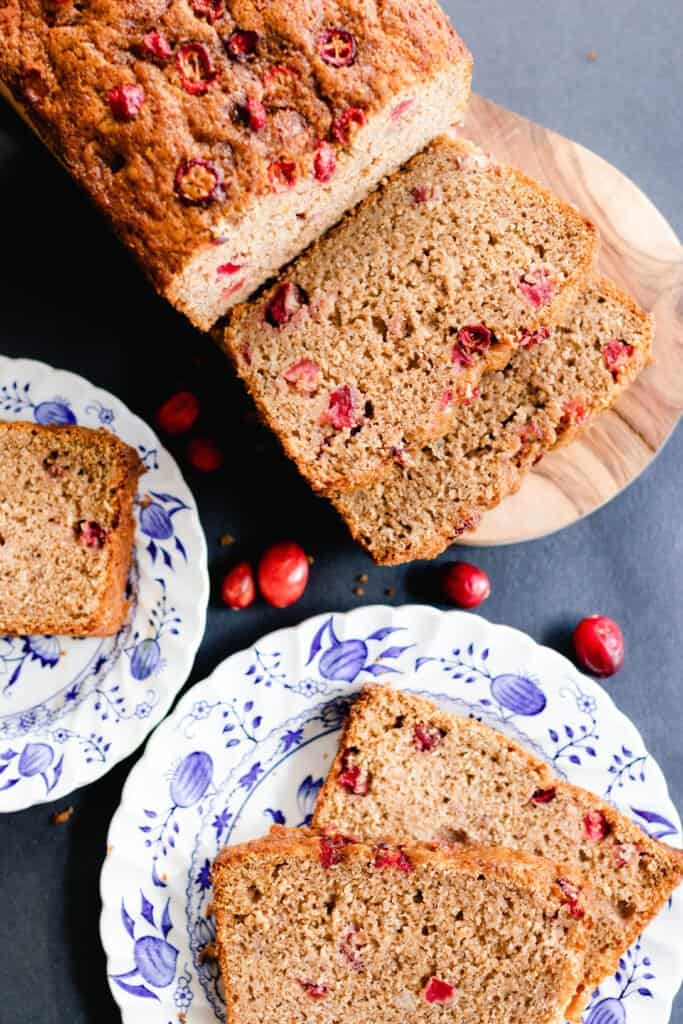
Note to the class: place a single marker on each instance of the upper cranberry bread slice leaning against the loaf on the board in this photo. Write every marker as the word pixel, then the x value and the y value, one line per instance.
pixel 367 346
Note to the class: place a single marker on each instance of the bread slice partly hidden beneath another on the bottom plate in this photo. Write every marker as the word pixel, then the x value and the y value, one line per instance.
pixel 407 770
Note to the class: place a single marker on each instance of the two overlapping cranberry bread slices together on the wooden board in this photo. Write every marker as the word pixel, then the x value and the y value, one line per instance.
pixel 425 353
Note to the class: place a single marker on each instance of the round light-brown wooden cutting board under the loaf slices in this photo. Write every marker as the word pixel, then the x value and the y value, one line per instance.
pixel 642 252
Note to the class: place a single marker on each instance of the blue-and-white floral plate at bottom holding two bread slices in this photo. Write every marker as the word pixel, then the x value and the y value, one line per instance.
pixel 252 744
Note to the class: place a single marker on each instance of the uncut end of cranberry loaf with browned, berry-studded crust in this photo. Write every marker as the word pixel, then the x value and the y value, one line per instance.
pixel 223 137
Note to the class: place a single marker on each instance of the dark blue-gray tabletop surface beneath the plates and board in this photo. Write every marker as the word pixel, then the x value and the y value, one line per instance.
pixel 70 297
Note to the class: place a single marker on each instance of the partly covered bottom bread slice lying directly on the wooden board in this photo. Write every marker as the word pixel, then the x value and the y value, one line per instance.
pixel 547 396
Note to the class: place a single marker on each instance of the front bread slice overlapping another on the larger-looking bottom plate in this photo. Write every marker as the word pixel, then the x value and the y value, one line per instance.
pixel 317 928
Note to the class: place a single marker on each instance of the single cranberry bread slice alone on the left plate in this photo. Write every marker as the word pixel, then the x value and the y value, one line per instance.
pixel 66 530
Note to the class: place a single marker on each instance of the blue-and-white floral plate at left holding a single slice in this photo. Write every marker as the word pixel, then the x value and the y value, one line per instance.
pixel 71 709
